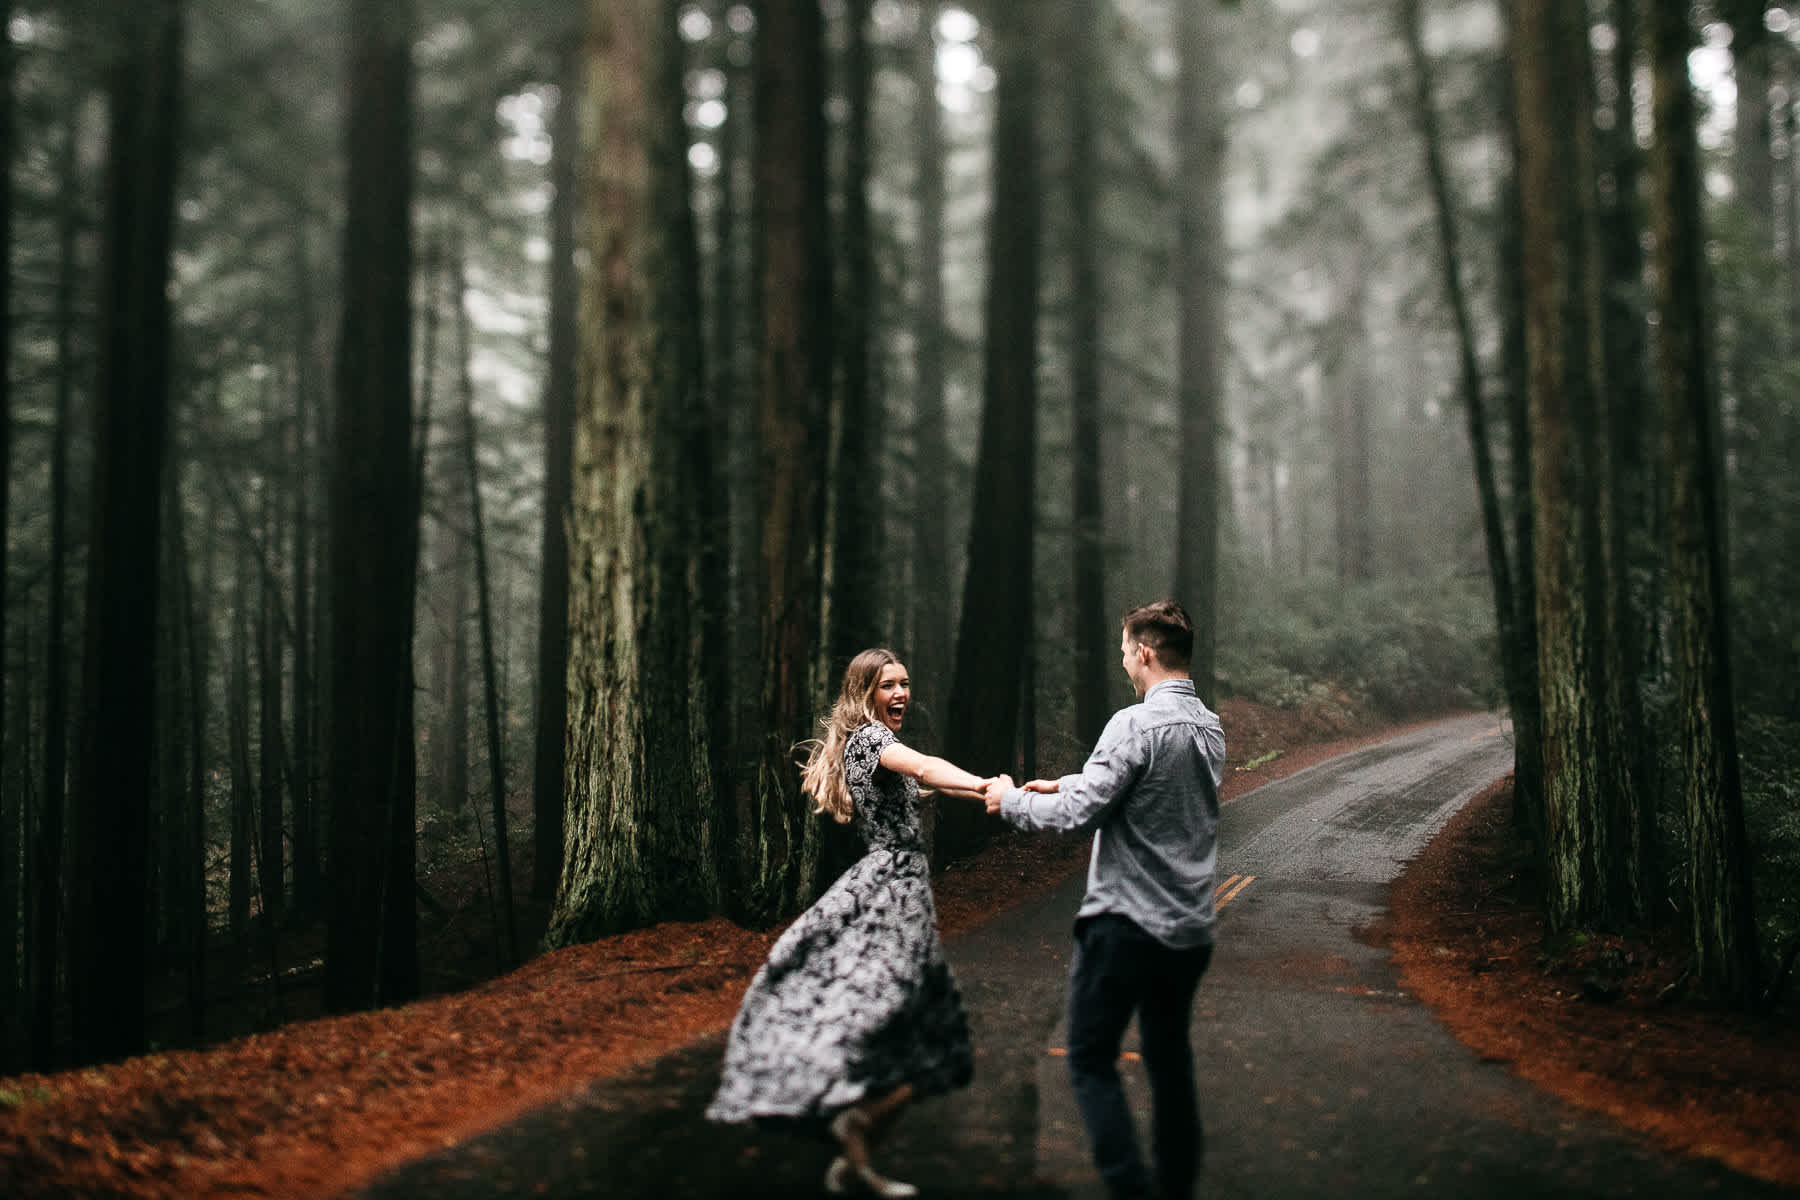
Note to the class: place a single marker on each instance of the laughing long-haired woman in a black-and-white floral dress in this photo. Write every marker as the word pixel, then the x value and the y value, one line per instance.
pixel 858 1014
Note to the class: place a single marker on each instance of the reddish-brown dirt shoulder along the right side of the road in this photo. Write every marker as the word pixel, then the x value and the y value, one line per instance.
pixel 1605 1023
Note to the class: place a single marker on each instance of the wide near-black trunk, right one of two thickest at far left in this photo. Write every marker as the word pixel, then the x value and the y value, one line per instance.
pixel 372 954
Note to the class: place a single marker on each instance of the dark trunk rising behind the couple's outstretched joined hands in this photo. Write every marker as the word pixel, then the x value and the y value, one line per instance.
pixel 993 643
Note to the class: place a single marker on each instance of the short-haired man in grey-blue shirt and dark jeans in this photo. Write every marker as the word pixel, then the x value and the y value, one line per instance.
pixel 1146 929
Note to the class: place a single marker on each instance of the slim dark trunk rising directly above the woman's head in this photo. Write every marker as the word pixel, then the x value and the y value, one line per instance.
pixel 858 553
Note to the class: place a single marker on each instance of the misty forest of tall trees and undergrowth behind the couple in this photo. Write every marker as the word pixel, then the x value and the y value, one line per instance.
pixel 454 447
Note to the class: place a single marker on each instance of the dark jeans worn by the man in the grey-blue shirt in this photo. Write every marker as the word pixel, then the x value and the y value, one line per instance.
pixel 1120 971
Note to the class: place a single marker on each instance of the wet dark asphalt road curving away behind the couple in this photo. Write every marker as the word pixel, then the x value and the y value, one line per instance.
pixel 1318 1075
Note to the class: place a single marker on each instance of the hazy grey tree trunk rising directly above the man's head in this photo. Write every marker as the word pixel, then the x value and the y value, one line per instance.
pixel 1201 278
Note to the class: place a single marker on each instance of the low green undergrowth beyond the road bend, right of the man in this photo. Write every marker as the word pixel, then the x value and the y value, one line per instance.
pixel 1399 647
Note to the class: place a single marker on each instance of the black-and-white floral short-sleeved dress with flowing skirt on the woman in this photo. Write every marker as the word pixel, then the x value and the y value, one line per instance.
pixel 856 998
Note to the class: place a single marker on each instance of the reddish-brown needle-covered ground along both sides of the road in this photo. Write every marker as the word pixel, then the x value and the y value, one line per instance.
pixel 319 1107
